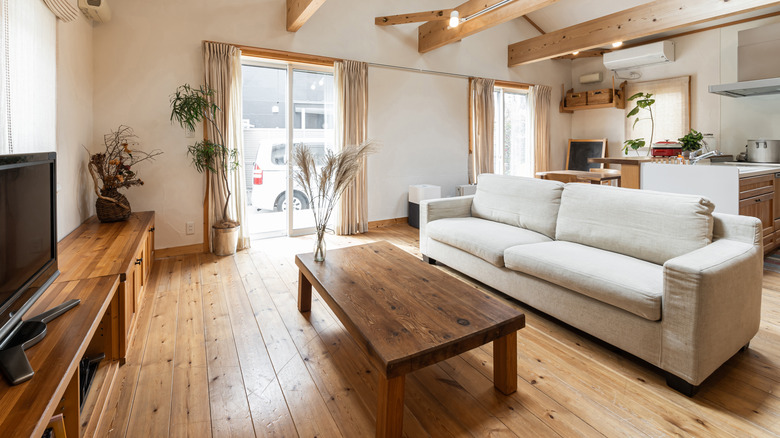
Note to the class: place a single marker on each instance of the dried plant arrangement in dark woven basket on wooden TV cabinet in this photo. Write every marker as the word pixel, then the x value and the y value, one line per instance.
pixel 113 169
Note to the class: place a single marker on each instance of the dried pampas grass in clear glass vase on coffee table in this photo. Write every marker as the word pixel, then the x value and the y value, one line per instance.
pixel 324 180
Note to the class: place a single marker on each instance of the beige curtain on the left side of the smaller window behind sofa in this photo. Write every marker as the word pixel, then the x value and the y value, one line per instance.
pixel 482 117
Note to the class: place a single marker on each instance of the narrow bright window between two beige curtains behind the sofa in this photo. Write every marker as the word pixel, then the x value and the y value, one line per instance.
pixel 513 151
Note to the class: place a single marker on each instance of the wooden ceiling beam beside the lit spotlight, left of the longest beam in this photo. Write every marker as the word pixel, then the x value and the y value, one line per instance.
pixel 435 34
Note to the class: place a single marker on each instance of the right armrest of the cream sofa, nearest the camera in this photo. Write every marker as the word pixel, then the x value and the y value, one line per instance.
pixel 711 306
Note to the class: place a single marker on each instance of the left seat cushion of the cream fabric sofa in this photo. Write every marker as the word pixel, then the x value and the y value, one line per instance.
pixel 482 238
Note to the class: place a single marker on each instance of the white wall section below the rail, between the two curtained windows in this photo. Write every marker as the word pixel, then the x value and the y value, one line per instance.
pixel 415 150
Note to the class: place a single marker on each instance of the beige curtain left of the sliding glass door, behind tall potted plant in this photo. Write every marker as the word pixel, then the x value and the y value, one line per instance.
pixel 222 65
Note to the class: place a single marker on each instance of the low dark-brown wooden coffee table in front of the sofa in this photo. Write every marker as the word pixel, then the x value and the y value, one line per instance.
pixel 405 315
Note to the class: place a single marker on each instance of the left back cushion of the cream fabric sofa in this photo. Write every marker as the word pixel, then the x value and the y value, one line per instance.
pixel 523 202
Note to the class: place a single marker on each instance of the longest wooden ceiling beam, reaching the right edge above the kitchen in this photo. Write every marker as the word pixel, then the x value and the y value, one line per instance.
pixel 644 20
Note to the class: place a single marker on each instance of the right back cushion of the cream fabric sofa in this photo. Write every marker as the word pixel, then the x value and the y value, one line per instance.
pixel 651 226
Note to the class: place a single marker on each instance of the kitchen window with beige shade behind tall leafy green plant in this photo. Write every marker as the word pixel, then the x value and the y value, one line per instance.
pixel 671 111
